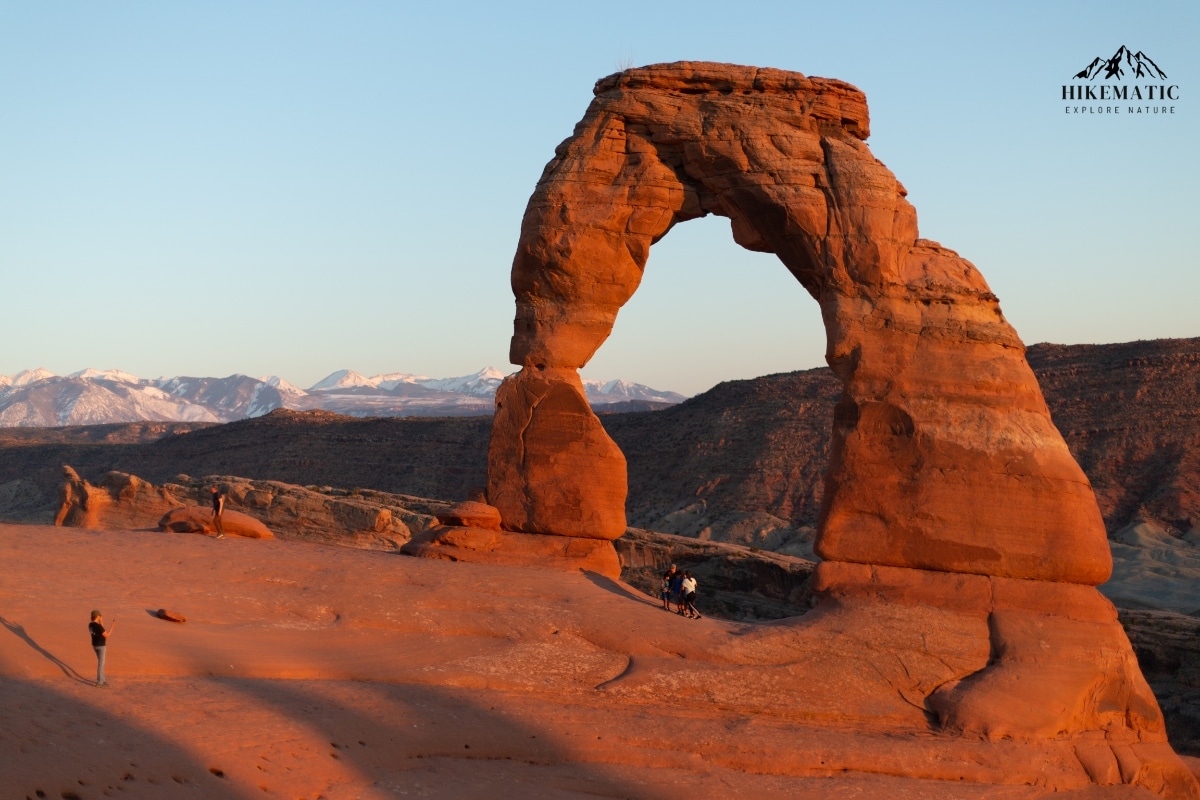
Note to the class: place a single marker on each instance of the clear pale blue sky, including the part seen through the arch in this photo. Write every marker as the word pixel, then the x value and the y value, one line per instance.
pixel 293 188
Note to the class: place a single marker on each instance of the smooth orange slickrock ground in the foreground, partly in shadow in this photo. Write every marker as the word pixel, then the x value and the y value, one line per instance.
pixel 317 672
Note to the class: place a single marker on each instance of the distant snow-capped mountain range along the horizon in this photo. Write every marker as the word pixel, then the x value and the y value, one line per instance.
pixel 40 399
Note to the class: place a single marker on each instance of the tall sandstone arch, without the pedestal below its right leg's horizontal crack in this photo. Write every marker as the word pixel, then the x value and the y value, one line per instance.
pixel 941 430
